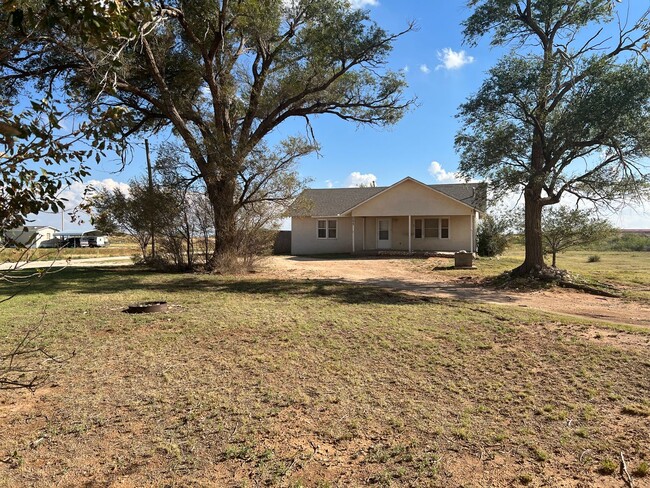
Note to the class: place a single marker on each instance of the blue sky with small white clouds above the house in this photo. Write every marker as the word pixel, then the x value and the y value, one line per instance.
pixel 441 73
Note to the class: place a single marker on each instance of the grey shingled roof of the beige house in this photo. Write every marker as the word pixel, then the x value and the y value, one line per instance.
pixel 331 202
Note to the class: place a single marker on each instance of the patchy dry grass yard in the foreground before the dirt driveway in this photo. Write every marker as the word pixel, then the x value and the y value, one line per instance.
pixel 255 381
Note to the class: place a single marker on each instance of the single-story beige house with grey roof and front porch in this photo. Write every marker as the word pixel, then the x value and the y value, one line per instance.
pixel 407 216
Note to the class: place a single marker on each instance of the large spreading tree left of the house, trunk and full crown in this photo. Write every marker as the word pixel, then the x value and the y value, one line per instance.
pixel 224 75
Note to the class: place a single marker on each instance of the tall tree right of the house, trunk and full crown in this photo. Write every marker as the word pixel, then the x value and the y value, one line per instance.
pixel 565 113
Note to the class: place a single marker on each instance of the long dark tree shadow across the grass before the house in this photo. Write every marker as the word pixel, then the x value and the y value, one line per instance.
pixel 109 280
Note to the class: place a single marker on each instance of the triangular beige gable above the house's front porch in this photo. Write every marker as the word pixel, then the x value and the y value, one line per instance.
pixel 411 198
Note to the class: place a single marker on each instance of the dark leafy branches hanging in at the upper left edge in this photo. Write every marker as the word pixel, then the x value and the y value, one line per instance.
pixel 42 148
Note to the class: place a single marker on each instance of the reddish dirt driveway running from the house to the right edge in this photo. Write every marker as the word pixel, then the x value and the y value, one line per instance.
pixel 403 275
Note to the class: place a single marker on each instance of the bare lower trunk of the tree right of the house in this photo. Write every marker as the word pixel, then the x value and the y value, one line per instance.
pixel 534 260
